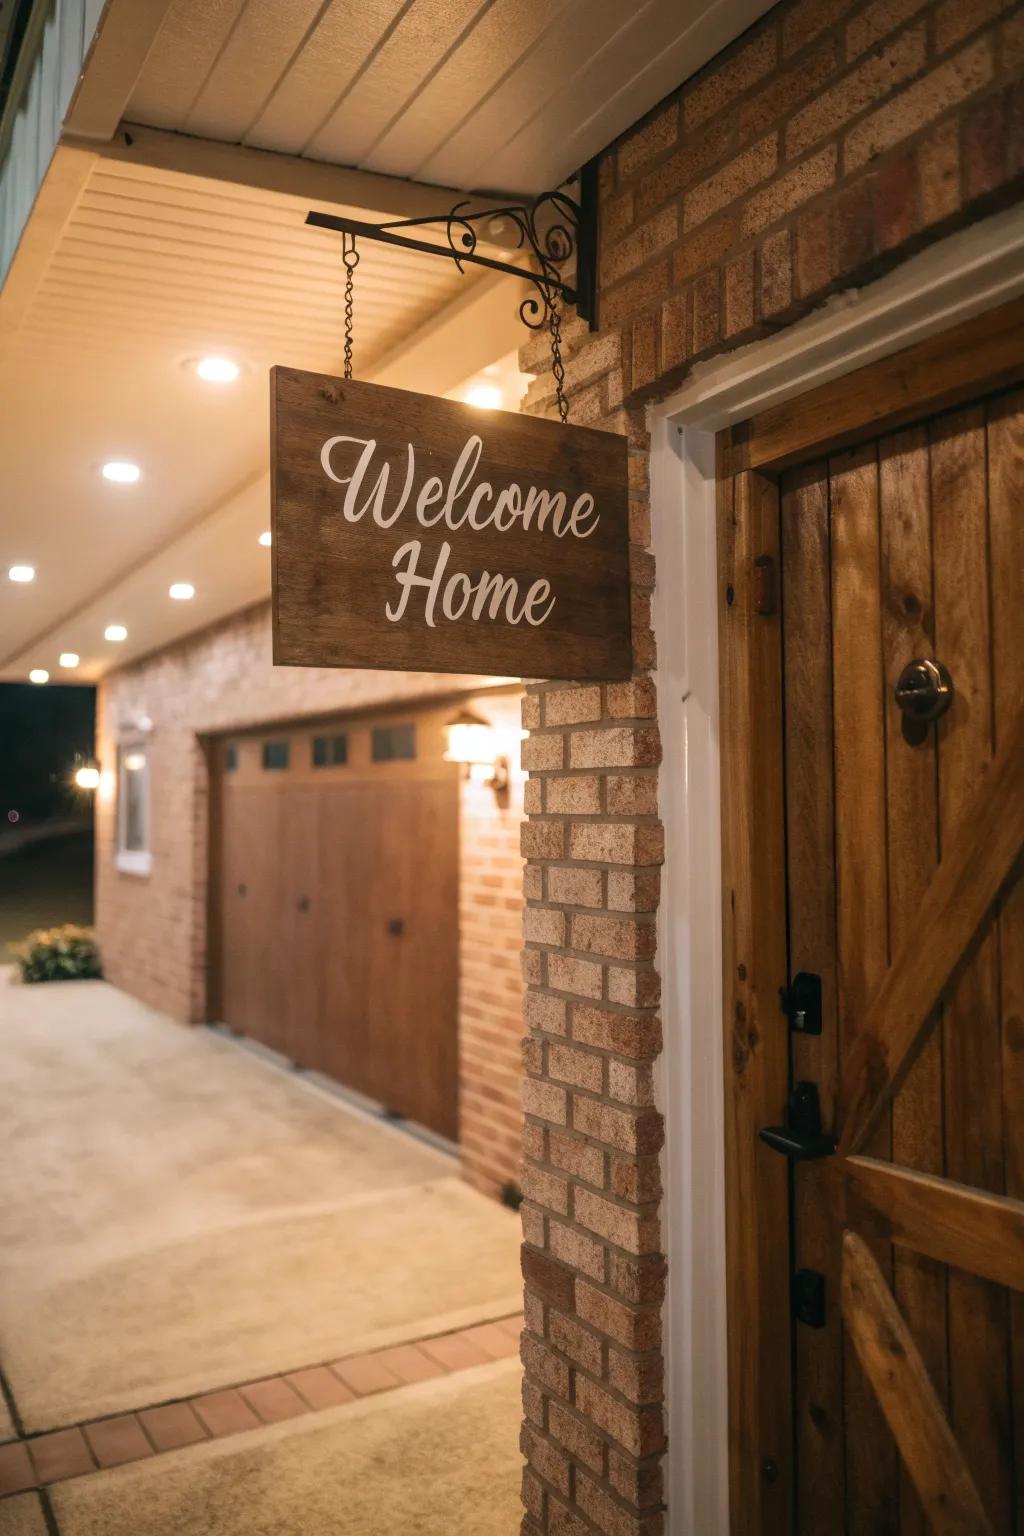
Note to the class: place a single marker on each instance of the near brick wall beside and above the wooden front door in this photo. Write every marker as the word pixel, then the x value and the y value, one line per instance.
pixel 827 145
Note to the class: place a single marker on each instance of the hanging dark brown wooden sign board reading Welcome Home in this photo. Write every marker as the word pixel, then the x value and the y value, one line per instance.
pixel 414 534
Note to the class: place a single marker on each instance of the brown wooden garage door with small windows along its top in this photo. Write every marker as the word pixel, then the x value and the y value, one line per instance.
pixel 339 910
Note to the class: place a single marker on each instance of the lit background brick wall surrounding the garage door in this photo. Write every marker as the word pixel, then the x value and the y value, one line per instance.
pixel 153 930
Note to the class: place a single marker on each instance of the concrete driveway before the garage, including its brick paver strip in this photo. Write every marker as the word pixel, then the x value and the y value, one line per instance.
pixel 197 1245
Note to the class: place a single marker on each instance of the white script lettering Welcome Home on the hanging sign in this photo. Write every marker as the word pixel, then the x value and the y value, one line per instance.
pixel 458 505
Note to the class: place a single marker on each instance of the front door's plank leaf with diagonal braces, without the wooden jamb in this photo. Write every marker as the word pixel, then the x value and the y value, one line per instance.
pixel 908 546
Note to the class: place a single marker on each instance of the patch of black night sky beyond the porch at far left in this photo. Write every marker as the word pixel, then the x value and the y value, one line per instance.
pixel 44 732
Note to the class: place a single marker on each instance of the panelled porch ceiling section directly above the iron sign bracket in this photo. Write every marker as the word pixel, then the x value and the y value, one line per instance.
pixel 474 94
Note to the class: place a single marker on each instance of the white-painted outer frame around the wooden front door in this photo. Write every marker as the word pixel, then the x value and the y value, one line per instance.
pixel 950 283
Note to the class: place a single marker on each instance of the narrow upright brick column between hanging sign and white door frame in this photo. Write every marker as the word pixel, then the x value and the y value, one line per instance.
pixel 592 1259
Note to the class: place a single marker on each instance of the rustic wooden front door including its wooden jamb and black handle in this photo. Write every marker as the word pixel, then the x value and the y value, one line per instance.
pixel 887 1349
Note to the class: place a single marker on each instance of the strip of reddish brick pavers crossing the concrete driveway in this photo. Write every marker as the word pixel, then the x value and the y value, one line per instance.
pixel 36 1462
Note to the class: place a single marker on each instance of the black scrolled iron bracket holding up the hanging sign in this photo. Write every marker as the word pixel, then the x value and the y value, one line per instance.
pixel 553 228
